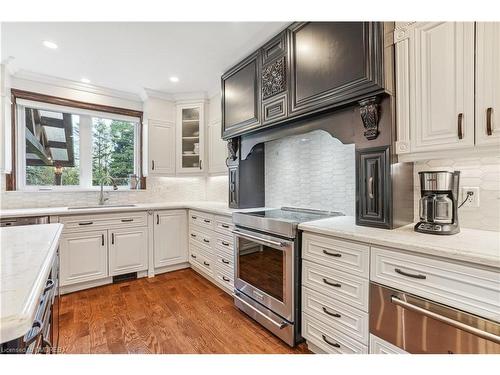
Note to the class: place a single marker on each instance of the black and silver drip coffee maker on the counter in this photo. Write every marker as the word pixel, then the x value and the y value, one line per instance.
pixel 438 204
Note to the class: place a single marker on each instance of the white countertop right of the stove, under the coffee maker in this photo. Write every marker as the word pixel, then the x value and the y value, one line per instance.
pixel 470 245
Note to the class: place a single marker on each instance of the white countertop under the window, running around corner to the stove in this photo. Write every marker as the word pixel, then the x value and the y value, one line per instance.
pixel 219 208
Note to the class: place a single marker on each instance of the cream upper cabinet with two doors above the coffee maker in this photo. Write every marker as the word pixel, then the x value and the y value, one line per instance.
pixel 448 86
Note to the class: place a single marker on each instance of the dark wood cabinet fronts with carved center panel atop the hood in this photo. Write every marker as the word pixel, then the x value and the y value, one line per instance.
pixel 307 68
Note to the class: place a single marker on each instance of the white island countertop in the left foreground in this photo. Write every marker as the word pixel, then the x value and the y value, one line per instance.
pixel 27 253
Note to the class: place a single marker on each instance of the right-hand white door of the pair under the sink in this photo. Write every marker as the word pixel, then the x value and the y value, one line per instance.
pixel 128 250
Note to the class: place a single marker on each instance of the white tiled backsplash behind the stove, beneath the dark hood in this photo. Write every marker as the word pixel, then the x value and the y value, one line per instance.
pixel 312 170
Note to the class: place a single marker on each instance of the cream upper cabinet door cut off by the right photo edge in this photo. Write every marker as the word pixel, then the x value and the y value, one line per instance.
pixel 488 83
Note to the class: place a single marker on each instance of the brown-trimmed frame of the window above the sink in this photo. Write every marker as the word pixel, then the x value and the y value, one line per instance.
pixel 16 179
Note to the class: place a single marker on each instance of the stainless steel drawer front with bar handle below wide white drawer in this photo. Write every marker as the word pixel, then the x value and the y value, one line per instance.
pixel 421 326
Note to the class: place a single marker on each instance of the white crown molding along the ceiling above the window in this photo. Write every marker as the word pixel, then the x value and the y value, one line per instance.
pixel 24 75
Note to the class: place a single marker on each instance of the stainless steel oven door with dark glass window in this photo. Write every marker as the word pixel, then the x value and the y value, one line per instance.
pixel 264 270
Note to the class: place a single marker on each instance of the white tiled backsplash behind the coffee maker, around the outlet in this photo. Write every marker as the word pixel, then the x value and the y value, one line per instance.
pixel 474 172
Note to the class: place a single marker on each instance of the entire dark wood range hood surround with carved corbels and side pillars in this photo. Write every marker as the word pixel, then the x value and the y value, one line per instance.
pixel 333 76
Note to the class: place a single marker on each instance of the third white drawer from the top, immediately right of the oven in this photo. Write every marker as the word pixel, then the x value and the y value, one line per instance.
pixel 335 314
